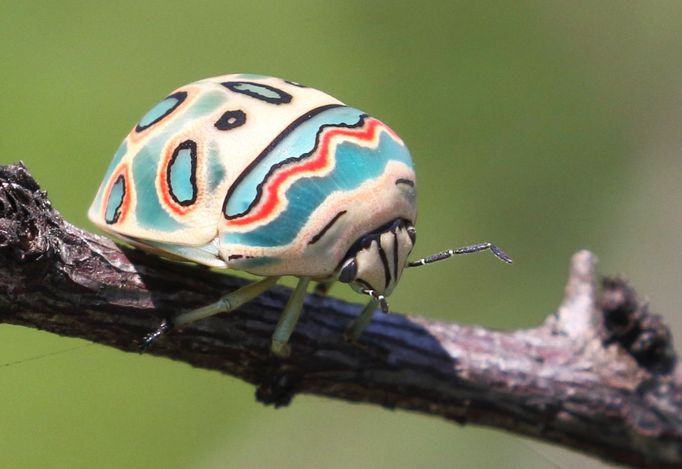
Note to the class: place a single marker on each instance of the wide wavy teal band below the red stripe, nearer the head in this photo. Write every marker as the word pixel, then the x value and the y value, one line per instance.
pixel 354 165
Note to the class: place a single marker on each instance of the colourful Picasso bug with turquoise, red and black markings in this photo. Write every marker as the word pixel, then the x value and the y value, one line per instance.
pixel 270 177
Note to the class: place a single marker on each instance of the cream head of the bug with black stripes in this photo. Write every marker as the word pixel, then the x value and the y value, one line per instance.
pixel 374 263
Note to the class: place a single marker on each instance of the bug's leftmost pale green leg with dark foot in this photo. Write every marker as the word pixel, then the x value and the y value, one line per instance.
pixel 227 303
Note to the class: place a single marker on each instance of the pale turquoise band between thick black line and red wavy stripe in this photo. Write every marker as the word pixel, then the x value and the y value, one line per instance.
pixel 300 141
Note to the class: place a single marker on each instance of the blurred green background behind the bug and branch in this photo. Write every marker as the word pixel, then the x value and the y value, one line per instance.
pixel 545 127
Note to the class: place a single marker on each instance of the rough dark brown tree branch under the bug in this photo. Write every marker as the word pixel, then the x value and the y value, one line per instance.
pixel 599 376
